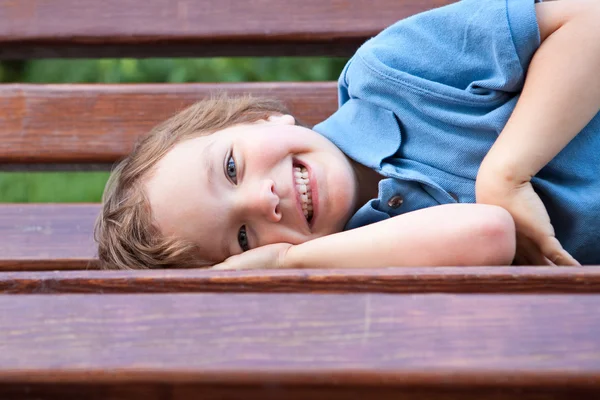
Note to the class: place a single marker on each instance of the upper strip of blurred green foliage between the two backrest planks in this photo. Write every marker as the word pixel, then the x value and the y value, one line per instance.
pixel 172 70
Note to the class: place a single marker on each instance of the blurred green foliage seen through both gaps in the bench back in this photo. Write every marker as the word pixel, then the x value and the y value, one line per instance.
pixel 88 186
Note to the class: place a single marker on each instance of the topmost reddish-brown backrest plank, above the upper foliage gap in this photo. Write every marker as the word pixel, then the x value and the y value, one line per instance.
pixel 115 28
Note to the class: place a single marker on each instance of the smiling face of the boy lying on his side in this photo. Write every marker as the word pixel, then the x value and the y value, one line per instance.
pixel 240 188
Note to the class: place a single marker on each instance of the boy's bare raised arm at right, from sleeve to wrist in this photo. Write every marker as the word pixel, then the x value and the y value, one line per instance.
pixel 561 95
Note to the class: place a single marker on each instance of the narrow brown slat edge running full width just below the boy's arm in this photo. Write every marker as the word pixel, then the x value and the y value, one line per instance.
pixel 382 280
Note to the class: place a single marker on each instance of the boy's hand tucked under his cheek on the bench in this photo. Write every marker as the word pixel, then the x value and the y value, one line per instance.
pixel 270 256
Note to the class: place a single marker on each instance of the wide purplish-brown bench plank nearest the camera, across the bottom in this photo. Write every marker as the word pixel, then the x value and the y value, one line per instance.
pixel 441 346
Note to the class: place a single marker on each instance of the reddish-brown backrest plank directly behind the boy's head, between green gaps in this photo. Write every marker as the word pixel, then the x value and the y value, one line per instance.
pixel 98 124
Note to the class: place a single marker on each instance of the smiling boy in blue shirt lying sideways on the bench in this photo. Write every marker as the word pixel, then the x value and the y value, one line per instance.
pixel 434 111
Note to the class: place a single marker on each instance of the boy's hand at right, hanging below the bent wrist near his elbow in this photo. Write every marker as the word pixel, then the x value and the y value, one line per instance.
pixel 536 241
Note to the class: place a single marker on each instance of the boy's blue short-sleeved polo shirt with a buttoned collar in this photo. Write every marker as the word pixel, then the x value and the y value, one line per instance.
pixel 423 102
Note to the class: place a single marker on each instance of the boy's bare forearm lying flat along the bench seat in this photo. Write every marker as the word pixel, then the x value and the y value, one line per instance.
pixel 457 234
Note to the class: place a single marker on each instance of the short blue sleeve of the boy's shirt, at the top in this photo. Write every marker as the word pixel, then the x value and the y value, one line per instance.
pixel 475 46
